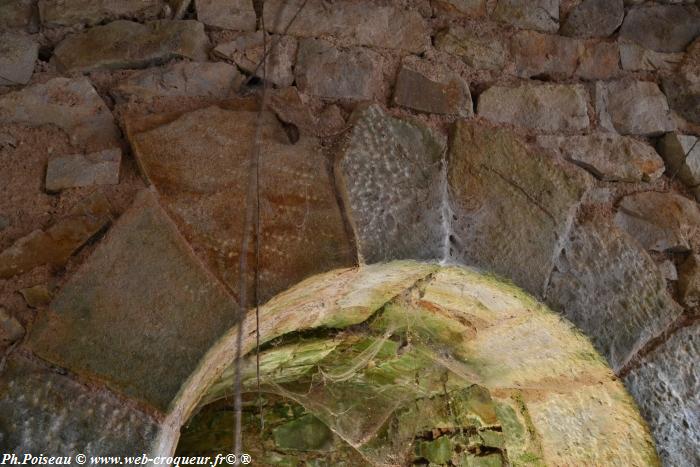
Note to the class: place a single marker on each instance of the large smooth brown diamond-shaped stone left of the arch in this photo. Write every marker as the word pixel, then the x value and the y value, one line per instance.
pixel 141 311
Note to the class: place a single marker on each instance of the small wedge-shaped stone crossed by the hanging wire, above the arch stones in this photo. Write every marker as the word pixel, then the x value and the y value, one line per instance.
pixel 246 51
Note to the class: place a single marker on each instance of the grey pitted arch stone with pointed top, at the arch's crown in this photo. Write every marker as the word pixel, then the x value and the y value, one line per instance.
pixel 389 174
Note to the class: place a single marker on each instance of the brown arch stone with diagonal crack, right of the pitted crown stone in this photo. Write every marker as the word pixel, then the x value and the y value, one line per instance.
pixel 511 207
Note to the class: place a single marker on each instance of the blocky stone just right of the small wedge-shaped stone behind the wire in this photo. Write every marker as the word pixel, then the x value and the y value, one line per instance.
pixel 326 71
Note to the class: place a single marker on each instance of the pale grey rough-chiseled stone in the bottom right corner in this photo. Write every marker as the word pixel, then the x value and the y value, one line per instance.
pixel 666 387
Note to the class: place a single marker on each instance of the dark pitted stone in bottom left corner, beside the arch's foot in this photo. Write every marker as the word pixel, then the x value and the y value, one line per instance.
pixel 46 412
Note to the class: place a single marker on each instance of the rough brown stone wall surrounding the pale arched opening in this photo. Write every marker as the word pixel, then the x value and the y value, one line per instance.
pixel 550 142
